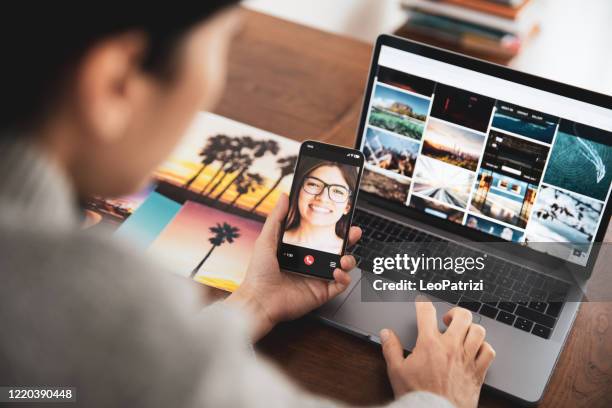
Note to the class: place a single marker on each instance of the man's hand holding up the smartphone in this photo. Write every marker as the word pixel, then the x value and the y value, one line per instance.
pixel 273 296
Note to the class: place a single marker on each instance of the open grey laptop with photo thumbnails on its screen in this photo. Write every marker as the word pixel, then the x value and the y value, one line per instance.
pixel 468 157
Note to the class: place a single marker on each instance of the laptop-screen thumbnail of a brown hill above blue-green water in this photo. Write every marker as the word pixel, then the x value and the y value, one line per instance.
pixel 399 112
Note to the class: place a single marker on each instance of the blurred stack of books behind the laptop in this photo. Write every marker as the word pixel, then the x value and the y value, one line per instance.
pixel 491 29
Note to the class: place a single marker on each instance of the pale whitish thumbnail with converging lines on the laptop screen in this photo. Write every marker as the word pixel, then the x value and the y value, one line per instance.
pixel 442 182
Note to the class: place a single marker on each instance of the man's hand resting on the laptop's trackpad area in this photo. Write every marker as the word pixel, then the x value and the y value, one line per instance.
pixel 452 364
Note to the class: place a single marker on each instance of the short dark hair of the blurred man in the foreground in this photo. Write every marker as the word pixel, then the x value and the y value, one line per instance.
pixel 41 44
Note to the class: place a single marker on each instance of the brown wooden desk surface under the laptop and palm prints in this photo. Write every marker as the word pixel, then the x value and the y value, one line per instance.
pixel 303 83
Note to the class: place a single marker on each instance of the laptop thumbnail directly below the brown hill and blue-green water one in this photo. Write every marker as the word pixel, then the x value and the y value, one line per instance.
pixel 390 152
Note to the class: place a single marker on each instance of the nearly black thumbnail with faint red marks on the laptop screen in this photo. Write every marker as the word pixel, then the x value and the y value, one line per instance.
pixel 462 107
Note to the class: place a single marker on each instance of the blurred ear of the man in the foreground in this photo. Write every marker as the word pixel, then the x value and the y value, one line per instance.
pixel 109 85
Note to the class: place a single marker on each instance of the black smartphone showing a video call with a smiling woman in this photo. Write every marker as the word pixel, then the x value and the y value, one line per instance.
pixel 321 206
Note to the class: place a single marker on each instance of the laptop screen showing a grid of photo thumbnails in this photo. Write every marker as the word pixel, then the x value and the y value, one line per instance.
pixel 515 162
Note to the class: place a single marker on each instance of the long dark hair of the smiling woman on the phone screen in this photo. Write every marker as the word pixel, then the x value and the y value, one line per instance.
pixel 307 166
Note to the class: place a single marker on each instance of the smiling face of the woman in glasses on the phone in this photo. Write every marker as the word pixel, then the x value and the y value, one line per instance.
pixel 319 209
